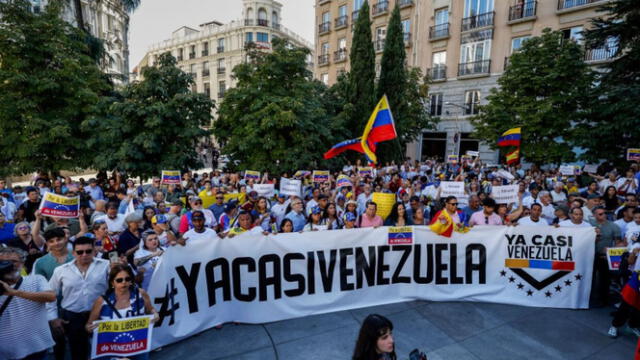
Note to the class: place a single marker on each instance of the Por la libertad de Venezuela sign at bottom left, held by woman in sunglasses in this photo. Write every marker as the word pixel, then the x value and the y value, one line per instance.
pixel 123 338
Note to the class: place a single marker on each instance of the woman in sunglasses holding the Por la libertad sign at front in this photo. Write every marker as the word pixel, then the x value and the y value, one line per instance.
pixel 122 300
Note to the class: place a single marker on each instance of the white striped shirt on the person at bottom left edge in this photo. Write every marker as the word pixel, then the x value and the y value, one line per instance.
pixel 24 328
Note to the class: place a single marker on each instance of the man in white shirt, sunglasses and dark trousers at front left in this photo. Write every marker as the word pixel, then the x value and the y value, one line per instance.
pixel 80 282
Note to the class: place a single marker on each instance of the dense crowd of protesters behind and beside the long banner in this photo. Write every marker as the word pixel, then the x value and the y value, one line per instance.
pixel 99 265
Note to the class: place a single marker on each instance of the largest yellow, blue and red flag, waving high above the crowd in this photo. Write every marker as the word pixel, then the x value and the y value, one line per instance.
pixel 379 128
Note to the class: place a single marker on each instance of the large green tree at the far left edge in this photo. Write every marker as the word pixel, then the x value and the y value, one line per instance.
pixel 49 85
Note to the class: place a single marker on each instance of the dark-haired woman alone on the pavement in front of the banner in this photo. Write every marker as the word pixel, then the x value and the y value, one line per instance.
pixel 375 340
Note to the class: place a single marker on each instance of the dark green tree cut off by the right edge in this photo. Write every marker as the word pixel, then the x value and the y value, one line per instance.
pixel 616 120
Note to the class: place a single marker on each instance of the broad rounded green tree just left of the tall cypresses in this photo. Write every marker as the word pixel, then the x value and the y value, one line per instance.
pixel 275 119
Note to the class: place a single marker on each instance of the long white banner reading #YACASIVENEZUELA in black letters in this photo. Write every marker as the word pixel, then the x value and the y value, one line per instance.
pixel 255 279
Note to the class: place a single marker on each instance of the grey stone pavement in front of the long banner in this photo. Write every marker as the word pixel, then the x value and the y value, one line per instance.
pixel 451 331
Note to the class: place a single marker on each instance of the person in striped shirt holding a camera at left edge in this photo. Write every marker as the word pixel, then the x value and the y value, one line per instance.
pixel 24 328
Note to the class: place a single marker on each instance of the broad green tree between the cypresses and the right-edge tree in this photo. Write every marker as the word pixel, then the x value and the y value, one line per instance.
pixel 545 90
